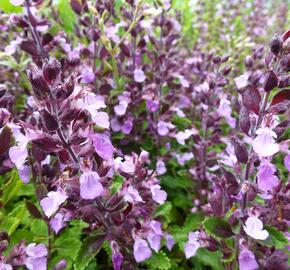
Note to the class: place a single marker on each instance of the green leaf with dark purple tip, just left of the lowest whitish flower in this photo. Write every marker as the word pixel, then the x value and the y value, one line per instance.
pixel 218 227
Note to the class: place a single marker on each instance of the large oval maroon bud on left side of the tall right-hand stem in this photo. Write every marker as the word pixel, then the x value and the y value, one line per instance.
pixel 251 98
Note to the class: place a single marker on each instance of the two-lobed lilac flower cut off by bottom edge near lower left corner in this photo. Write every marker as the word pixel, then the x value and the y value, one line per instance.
pixel 36 257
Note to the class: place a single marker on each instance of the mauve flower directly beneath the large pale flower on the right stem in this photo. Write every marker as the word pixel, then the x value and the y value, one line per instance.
pixel 267 181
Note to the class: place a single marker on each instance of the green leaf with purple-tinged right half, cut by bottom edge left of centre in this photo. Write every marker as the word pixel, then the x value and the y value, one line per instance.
pixel 89 250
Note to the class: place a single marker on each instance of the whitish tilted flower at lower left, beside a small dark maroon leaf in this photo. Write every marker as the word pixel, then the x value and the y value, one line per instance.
pixel 52 201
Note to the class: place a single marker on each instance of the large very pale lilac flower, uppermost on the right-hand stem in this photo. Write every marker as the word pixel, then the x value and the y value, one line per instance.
pixel 264 144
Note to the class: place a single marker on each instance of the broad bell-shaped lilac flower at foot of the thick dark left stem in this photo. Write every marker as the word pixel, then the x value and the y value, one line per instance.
pixel 90 186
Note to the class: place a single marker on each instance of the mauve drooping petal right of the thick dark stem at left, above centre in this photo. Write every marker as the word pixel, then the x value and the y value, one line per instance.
pixel 103 146
